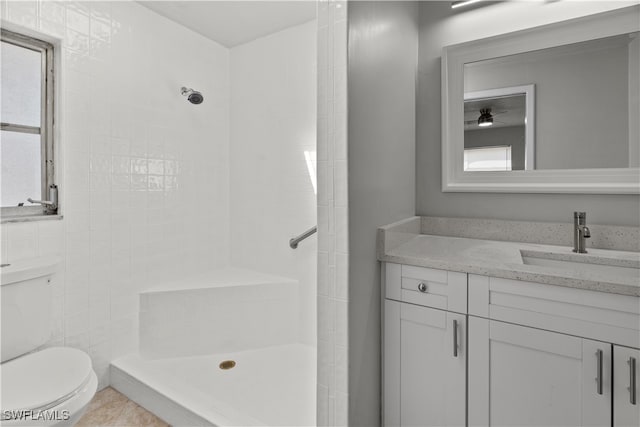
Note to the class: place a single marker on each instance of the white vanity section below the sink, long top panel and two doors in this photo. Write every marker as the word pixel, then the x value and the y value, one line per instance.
pixel 550 355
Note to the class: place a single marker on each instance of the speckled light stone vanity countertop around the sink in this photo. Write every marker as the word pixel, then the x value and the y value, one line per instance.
pixel 406 245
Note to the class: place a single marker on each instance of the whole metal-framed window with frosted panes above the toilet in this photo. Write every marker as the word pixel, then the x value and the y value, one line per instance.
pixel 26 136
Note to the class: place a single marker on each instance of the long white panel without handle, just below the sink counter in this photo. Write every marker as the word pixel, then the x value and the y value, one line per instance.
pixel 590 314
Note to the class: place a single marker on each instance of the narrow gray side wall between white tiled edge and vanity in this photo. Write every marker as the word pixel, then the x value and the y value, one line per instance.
pixel 383 49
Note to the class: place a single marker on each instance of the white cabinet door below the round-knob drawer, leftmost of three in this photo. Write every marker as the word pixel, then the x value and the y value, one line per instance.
pixel 425 366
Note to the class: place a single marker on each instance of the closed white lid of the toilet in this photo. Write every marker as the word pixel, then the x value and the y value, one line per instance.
pixel 43 378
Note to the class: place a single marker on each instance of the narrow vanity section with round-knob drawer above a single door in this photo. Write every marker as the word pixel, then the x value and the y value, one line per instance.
pixel 424 347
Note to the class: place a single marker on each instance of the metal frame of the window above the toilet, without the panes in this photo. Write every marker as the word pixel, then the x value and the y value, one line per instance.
pixel 46 129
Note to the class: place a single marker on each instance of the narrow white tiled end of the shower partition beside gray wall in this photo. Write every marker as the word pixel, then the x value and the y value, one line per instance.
pixel 333 244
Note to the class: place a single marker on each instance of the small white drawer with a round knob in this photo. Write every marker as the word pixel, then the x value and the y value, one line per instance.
pixel 428 287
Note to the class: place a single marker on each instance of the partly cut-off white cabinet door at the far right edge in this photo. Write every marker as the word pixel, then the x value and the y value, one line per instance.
pixel 626 387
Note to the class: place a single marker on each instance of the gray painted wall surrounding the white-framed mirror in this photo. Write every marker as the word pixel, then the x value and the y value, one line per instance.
pixel 440 26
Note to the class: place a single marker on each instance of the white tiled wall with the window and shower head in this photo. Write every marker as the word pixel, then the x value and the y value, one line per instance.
pixel 143 174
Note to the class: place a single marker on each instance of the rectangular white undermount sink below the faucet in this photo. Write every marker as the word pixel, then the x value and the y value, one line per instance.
pixel 583 263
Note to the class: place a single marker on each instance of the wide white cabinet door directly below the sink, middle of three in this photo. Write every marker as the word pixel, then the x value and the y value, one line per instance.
pixel 520 376
